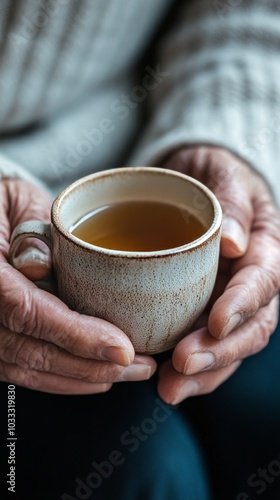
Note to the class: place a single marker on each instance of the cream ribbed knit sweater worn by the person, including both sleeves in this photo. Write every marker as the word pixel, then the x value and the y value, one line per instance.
pixel 77 94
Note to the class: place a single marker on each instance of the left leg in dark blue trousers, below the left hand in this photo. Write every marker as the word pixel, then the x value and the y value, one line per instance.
pixel 125 444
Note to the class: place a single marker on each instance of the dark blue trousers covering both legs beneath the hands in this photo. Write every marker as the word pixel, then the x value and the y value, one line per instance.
pixel 128 445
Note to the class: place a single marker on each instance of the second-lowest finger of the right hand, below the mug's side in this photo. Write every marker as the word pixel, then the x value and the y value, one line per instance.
pixel 199 351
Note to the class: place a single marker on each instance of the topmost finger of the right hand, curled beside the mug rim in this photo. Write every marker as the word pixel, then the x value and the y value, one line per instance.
pixel 232 181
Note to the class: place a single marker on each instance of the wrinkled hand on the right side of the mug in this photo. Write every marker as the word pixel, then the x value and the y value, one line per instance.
pixel 243 311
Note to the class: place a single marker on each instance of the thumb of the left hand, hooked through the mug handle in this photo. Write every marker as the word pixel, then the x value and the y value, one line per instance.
pixel 33 258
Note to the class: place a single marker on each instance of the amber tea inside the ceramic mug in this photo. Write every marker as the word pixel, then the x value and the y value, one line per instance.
pixel 139 226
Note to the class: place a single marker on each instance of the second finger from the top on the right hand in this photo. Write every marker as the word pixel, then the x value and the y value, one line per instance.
pixel 255 281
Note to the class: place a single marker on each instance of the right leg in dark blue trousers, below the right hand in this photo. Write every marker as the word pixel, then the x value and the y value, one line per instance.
pixel 239 425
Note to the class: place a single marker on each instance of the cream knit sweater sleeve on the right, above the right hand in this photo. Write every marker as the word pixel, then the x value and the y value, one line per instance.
pixel 220 64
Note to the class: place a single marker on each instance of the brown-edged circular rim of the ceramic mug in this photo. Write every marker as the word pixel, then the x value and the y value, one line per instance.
pixel 208 235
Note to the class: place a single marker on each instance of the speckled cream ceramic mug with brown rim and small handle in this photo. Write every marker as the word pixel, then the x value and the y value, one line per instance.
pixel 154 297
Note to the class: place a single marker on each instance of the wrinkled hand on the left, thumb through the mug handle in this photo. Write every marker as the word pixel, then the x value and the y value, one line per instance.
pixel 43 344
